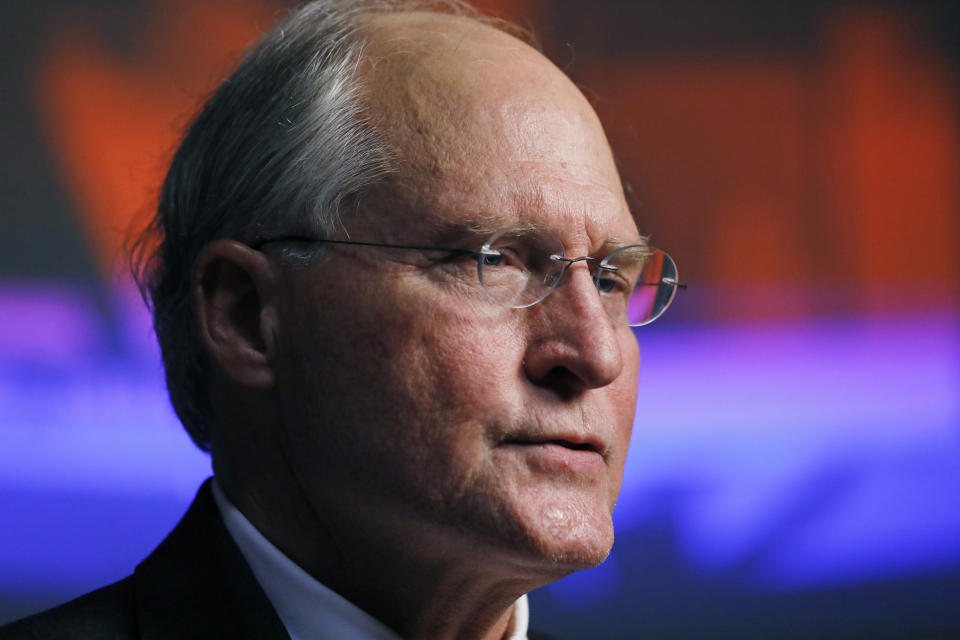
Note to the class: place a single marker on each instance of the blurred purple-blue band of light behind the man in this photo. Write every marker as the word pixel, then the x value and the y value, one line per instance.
pixel 786 456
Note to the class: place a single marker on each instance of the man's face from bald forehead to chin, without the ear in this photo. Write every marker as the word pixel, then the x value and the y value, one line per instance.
pixel 415 408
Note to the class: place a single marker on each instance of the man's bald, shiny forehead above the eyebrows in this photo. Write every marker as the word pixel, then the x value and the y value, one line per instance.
pixel 487 133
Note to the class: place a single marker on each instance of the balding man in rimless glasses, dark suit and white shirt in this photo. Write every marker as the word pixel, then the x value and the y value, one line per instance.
pixel 393 296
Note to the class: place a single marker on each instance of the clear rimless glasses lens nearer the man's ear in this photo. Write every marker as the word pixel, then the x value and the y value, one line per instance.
pixel 518 268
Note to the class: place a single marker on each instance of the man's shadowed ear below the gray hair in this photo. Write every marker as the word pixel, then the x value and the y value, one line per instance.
pixel 234 292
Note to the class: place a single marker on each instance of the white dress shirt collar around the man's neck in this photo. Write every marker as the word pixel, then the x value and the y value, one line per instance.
pixel 306 608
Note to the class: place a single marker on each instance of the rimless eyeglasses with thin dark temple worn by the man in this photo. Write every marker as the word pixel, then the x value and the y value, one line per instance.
pixel 520 266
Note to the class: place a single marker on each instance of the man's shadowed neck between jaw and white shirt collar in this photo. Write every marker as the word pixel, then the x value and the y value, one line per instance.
pixel 421 589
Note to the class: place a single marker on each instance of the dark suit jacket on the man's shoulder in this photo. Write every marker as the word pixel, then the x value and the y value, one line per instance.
pixel 196 584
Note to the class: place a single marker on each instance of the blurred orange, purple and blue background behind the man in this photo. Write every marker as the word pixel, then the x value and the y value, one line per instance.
pixel 795 471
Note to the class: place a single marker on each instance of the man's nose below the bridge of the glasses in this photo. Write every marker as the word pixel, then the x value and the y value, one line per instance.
pixel 572 344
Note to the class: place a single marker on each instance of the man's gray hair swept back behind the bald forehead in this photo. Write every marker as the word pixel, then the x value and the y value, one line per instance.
pixel 282 146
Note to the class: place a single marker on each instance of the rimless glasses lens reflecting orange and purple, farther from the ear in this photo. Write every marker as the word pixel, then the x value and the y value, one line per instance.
pixel 637 284
